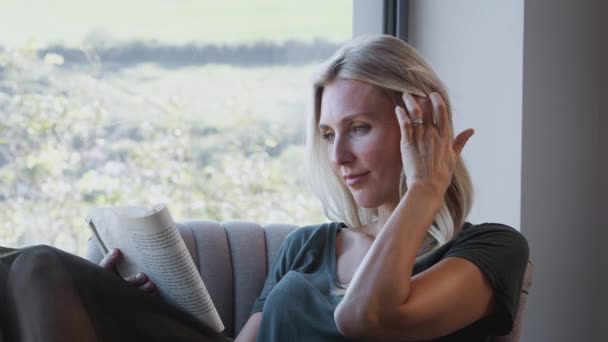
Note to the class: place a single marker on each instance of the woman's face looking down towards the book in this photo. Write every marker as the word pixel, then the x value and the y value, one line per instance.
pixel 362 136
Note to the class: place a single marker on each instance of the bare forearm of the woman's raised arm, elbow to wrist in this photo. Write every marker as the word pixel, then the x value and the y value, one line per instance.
pixel 382 281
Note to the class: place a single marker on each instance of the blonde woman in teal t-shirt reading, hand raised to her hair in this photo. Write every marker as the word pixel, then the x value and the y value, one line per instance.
pixel 399 263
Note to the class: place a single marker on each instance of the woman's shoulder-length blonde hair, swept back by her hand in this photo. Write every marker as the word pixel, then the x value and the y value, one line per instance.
pixel 394 67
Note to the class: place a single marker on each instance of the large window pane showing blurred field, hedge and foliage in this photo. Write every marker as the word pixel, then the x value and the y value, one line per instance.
pixel 199 104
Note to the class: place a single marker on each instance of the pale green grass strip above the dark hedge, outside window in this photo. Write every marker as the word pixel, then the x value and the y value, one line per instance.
pixel 69 22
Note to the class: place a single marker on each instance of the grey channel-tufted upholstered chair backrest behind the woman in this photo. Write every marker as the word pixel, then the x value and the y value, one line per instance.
pixel 233 259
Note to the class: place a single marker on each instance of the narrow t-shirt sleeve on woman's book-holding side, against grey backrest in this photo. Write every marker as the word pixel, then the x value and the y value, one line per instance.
pixel 282 263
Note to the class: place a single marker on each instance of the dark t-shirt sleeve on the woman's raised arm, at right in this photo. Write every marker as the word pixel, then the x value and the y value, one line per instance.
pixel 501 253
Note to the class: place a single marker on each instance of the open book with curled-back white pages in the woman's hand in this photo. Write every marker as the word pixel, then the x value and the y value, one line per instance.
pixel 150 243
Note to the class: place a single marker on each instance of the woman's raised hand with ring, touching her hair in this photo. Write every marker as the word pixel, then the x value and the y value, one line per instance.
pixel 428 152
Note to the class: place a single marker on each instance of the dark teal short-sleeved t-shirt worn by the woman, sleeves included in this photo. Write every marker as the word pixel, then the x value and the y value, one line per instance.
pixel 302 290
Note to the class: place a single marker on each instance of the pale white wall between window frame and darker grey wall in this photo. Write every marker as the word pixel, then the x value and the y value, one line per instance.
pixel 476 48
